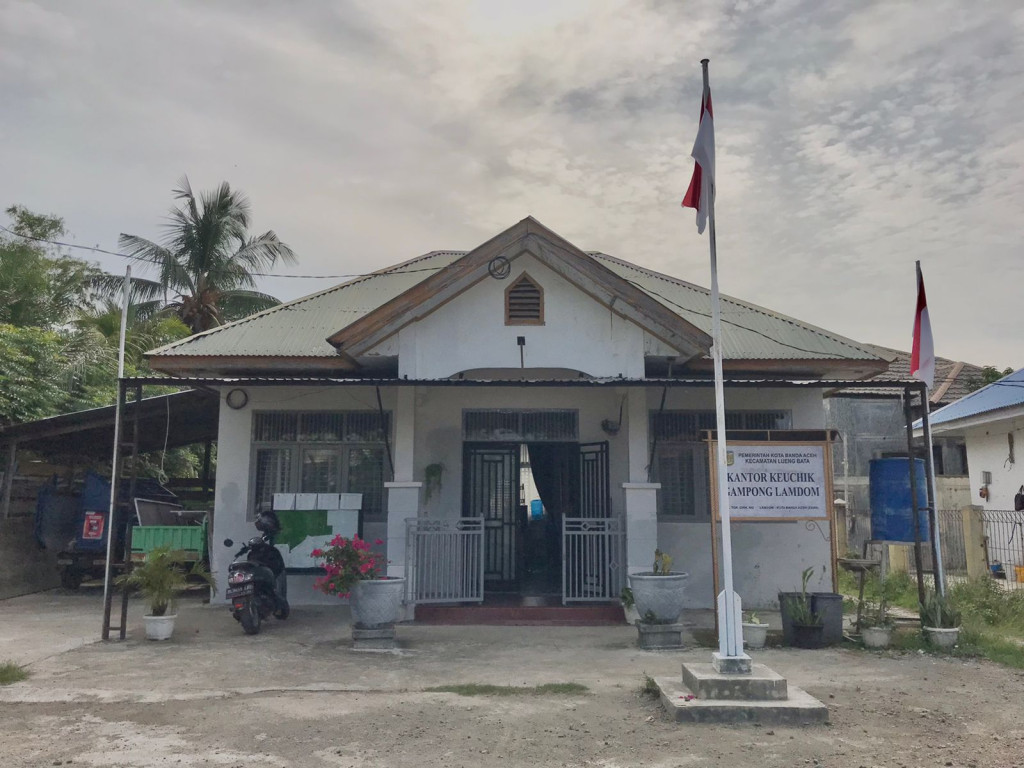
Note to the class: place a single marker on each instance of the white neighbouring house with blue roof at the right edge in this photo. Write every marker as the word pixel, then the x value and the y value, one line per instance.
pixel 991 421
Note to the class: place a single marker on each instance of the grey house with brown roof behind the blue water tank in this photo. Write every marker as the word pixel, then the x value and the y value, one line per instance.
pixel 872 425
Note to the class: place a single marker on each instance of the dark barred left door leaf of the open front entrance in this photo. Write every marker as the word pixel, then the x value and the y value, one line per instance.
pixel 491 491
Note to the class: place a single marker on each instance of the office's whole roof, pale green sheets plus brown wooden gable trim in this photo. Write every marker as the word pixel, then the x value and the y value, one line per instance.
pixel 359 314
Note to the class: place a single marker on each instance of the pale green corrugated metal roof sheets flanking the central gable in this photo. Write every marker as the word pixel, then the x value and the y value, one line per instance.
pixel 300 328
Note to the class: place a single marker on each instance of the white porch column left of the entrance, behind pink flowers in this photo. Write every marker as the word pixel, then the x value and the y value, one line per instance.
pixel 404 492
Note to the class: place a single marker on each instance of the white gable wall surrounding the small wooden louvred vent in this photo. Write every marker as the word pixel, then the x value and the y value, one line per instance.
pixel 470 333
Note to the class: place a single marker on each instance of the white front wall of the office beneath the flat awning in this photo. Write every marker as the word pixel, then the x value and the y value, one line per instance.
pixel 770 558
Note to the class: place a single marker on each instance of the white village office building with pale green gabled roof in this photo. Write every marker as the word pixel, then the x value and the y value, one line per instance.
pixel 423 388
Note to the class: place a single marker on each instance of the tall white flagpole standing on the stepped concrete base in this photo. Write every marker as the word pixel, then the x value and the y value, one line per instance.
pixel 731 645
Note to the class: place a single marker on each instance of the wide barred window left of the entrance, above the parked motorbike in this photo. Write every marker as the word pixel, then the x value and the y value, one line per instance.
pixel 321 453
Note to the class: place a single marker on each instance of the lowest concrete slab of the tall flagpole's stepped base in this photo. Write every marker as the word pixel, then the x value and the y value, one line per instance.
pixel 800 709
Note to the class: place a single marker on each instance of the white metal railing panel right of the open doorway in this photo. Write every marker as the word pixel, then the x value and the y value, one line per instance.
pixel 593 560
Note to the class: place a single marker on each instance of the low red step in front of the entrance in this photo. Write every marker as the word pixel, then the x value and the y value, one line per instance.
pixel 545 616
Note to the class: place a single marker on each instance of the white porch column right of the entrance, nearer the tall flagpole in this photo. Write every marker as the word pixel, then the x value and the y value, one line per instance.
pixel 642 496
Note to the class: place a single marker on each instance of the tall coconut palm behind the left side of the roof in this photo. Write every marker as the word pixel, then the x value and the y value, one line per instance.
pixel 208 263
